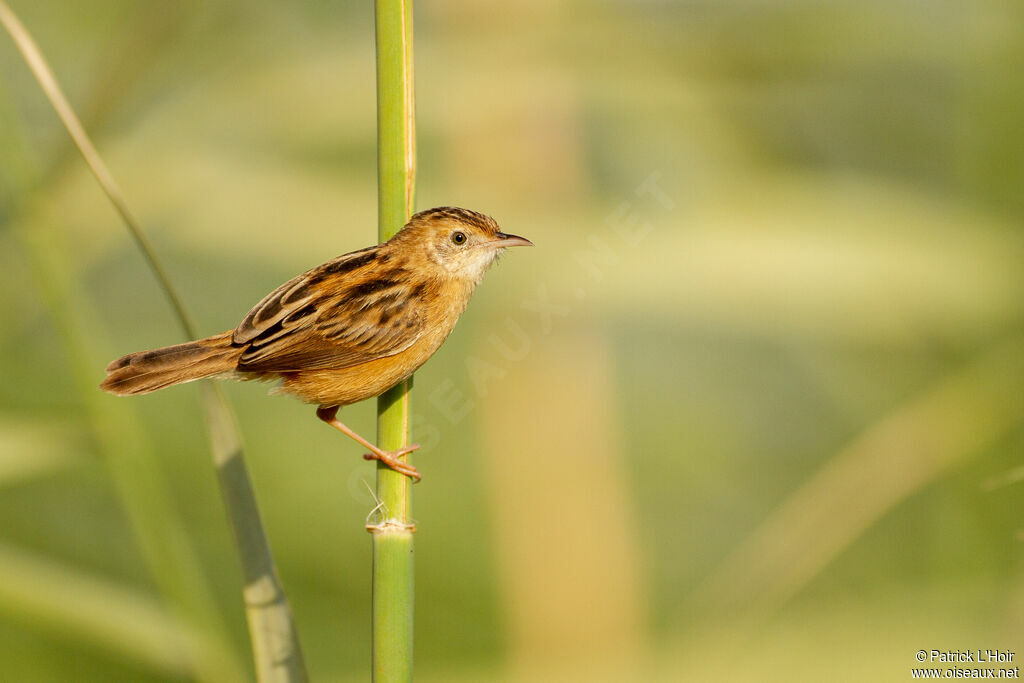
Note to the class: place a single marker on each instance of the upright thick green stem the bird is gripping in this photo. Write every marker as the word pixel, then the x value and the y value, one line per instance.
pixel 393 574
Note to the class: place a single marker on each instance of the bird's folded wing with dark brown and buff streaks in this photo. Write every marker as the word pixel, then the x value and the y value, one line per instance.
pixel 349 312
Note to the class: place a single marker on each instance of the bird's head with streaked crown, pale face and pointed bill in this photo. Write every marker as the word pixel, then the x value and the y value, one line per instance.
pixel 456 243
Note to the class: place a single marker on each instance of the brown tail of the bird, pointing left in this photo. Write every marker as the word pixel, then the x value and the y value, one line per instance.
pixel 144 372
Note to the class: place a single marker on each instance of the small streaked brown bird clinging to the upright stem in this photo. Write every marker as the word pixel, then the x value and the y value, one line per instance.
pixel 348 330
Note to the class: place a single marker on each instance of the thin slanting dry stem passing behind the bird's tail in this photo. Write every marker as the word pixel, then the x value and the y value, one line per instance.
pixel 275 642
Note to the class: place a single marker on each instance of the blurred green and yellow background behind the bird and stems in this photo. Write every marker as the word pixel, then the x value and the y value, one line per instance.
pixel 751 411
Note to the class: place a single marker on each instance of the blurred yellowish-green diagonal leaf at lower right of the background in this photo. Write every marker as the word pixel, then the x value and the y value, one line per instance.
pixel 892 460
